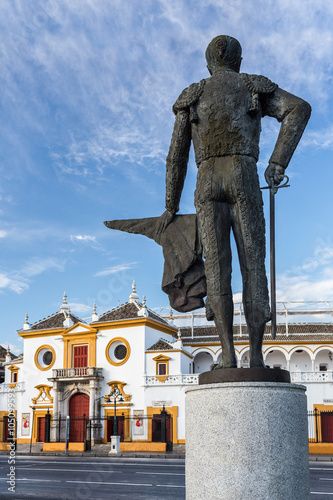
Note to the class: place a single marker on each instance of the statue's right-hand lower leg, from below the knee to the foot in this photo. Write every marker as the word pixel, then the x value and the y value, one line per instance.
pixel 256 324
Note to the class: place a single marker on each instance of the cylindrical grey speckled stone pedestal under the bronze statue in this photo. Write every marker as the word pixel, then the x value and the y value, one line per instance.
pixel 247 441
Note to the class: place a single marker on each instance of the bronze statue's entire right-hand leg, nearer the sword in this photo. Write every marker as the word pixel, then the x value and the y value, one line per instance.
pixel 248 225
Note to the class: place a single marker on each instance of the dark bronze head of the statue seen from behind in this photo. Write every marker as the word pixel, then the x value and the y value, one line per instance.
pixel 223 52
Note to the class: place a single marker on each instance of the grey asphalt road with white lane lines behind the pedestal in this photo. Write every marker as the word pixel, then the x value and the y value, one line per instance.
pixel 81 478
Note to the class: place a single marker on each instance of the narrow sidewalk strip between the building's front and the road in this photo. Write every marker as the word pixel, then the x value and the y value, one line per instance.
pixel 99 450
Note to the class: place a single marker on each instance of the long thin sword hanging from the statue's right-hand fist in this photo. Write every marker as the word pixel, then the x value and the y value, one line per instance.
pixel 272 191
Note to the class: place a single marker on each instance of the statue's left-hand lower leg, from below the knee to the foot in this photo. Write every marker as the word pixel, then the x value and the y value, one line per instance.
pixel 223 308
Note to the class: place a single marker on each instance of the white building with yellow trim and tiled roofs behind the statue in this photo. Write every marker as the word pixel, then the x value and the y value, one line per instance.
pixel 70 367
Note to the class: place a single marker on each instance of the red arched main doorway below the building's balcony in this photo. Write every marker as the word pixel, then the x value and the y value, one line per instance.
pixel 79 417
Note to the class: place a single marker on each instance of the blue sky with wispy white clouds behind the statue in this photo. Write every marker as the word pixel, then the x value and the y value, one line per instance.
pixel 85 123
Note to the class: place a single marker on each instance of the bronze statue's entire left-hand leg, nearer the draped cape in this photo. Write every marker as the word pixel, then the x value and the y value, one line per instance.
pixel 214 229
